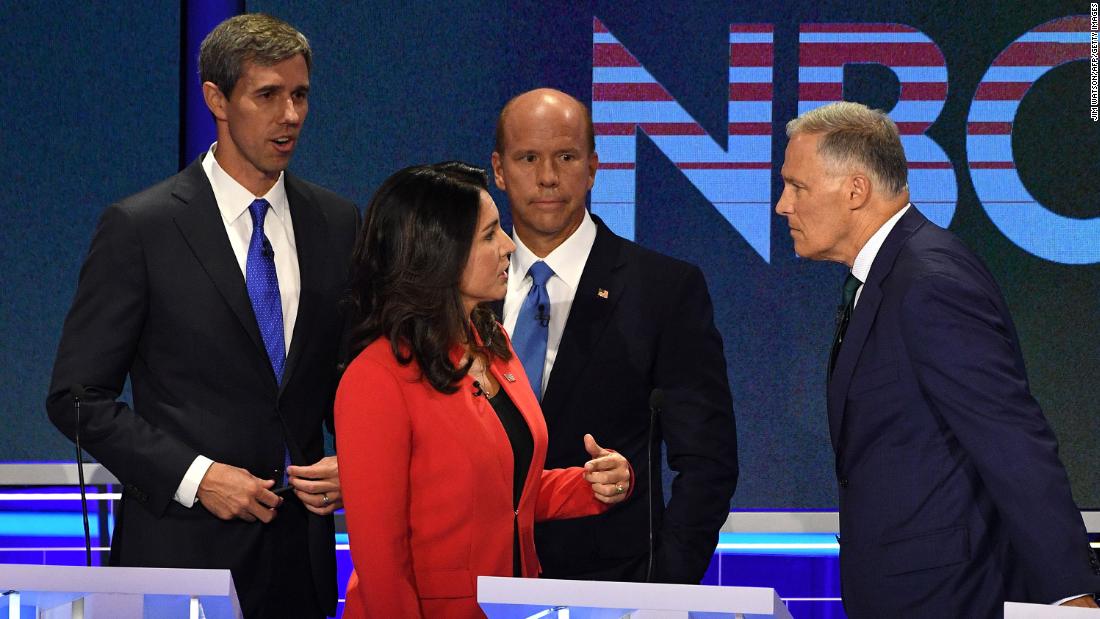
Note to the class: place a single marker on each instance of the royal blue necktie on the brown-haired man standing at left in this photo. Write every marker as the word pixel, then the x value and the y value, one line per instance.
pixel 262 283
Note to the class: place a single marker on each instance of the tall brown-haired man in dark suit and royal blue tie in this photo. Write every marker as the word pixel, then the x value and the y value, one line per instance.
pixel 217 293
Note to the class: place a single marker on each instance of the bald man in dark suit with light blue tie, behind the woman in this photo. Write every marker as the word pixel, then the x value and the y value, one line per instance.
pixel 600 324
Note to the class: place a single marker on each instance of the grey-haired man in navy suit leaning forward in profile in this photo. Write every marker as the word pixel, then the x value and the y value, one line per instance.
pixel 953 499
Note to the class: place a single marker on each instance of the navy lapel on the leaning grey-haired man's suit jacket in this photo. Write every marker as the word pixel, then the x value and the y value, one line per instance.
pixel 863 318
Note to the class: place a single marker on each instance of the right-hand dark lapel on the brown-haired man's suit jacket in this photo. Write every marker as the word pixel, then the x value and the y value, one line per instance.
pixel 310 239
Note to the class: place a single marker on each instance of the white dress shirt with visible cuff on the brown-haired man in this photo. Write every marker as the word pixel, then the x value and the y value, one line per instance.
pixel 234 202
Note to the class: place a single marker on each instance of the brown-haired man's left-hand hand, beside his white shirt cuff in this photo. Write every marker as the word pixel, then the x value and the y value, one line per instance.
pixel 229 493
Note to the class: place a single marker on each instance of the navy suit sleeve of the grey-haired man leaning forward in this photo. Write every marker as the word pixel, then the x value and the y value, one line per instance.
pixel 967 359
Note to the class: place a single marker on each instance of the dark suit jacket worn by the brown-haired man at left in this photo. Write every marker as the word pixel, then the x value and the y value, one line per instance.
pixel 162 300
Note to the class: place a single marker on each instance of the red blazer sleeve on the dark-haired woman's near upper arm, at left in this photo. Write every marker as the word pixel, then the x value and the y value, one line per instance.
pixel 375 439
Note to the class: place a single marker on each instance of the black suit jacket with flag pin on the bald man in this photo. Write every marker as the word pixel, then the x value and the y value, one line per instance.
pixel 652 328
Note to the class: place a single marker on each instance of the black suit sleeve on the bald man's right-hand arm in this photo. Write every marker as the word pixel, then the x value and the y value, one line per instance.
pixel 699 432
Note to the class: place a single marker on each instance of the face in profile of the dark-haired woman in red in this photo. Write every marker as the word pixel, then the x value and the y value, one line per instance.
pixel 486 277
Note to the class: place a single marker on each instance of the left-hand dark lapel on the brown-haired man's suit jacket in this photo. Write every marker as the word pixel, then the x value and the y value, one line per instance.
pixel 201 224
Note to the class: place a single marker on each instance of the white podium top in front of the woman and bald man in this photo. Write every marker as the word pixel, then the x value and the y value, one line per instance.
pixel 531 599
